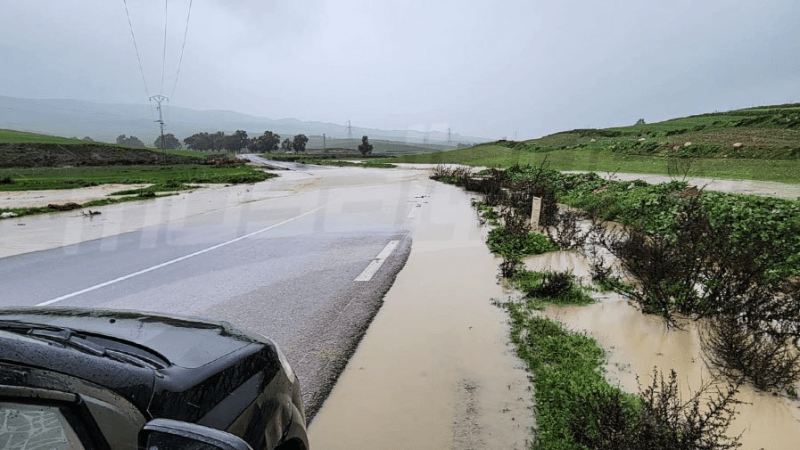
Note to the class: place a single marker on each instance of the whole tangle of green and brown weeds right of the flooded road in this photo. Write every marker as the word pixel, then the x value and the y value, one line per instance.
pixel 677 252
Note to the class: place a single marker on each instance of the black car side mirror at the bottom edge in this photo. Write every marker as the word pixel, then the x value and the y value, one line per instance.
pixel 166 434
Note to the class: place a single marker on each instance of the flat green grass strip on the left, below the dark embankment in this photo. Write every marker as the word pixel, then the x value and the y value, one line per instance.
pixel 22 179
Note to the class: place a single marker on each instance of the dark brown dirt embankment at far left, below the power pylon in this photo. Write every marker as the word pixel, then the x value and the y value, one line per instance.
pixel 59 155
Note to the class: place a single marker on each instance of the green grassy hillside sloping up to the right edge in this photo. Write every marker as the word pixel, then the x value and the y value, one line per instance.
pixel 757 143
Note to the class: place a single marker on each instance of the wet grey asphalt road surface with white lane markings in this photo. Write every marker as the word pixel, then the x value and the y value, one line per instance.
pixel 307 269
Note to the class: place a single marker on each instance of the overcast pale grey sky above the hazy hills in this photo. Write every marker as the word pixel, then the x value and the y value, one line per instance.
pixel 482 68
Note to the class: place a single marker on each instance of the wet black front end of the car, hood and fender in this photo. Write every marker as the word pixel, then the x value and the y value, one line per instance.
pixel 195 371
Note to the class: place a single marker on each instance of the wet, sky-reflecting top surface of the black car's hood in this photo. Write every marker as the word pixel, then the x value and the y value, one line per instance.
pixel 183 342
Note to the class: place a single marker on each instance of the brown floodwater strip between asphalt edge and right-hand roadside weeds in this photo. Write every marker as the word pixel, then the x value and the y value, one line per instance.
pixel 434 371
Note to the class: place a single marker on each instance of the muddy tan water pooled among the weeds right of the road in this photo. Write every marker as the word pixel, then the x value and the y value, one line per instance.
pixel 636 343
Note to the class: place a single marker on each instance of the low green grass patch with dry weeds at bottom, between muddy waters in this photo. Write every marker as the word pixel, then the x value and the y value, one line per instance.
pixel 576 407
